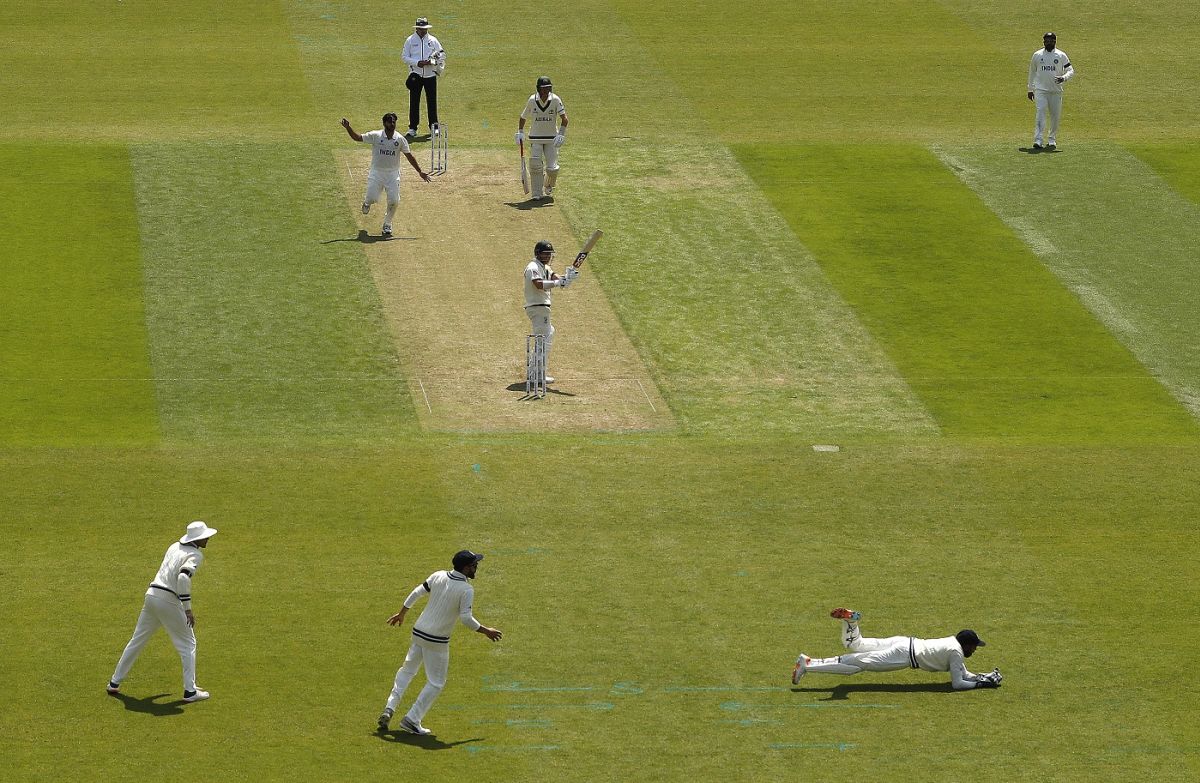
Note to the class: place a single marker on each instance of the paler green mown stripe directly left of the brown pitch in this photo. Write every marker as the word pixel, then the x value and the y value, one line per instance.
pixel 261 326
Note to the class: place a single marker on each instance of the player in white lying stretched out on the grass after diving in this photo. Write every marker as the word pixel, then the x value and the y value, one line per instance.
pixel 901 653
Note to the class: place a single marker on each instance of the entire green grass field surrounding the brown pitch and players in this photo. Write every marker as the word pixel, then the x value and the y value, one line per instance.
pixel 821 230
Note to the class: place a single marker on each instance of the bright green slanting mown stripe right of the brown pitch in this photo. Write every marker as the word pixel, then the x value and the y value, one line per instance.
pixel 991 339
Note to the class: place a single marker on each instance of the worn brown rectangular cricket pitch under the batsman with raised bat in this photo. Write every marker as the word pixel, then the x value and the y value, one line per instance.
pixel 452 288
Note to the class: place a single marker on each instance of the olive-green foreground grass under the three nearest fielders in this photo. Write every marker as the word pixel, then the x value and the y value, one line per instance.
pixel 1022 543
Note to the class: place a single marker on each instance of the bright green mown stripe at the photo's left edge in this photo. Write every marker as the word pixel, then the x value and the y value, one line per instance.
pixel 74 360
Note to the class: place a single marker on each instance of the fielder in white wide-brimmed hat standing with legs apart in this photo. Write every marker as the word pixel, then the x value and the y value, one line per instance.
pixel 169 605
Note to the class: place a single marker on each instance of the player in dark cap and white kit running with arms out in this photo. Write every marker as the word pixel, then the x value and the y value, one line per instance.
pixel 451 600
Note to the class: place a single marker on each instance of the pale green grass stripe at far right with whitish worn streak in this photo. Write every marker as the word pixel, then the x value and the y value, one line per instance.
pixel 1121 238
